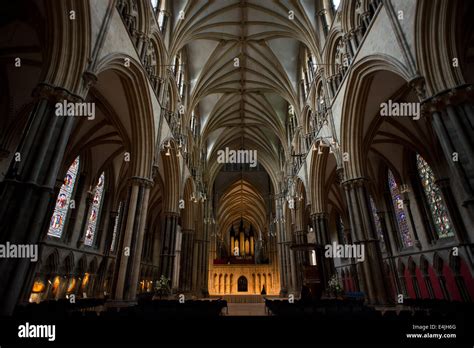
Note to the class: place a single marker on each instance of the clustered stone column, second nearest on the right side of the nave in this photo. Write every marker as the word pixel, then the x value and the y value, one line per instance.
pixel 370 271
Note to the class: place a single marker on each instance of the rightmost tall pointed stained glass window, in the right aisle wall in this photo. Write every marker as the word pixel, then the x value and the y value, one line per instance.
pixel 439 213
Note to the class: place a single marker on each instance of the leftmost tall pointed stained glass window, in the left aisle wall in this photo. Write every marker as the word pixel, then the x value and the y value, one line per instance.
pixel 61 209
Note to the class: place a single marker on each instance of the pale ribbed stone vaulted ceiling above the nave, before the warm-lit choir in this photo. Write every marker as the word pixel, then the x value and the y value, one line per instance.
pixel 242 65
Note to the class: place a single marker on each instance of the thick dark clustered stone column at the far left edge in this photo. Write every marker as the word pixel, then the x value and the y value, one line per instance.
pixel 29 186
